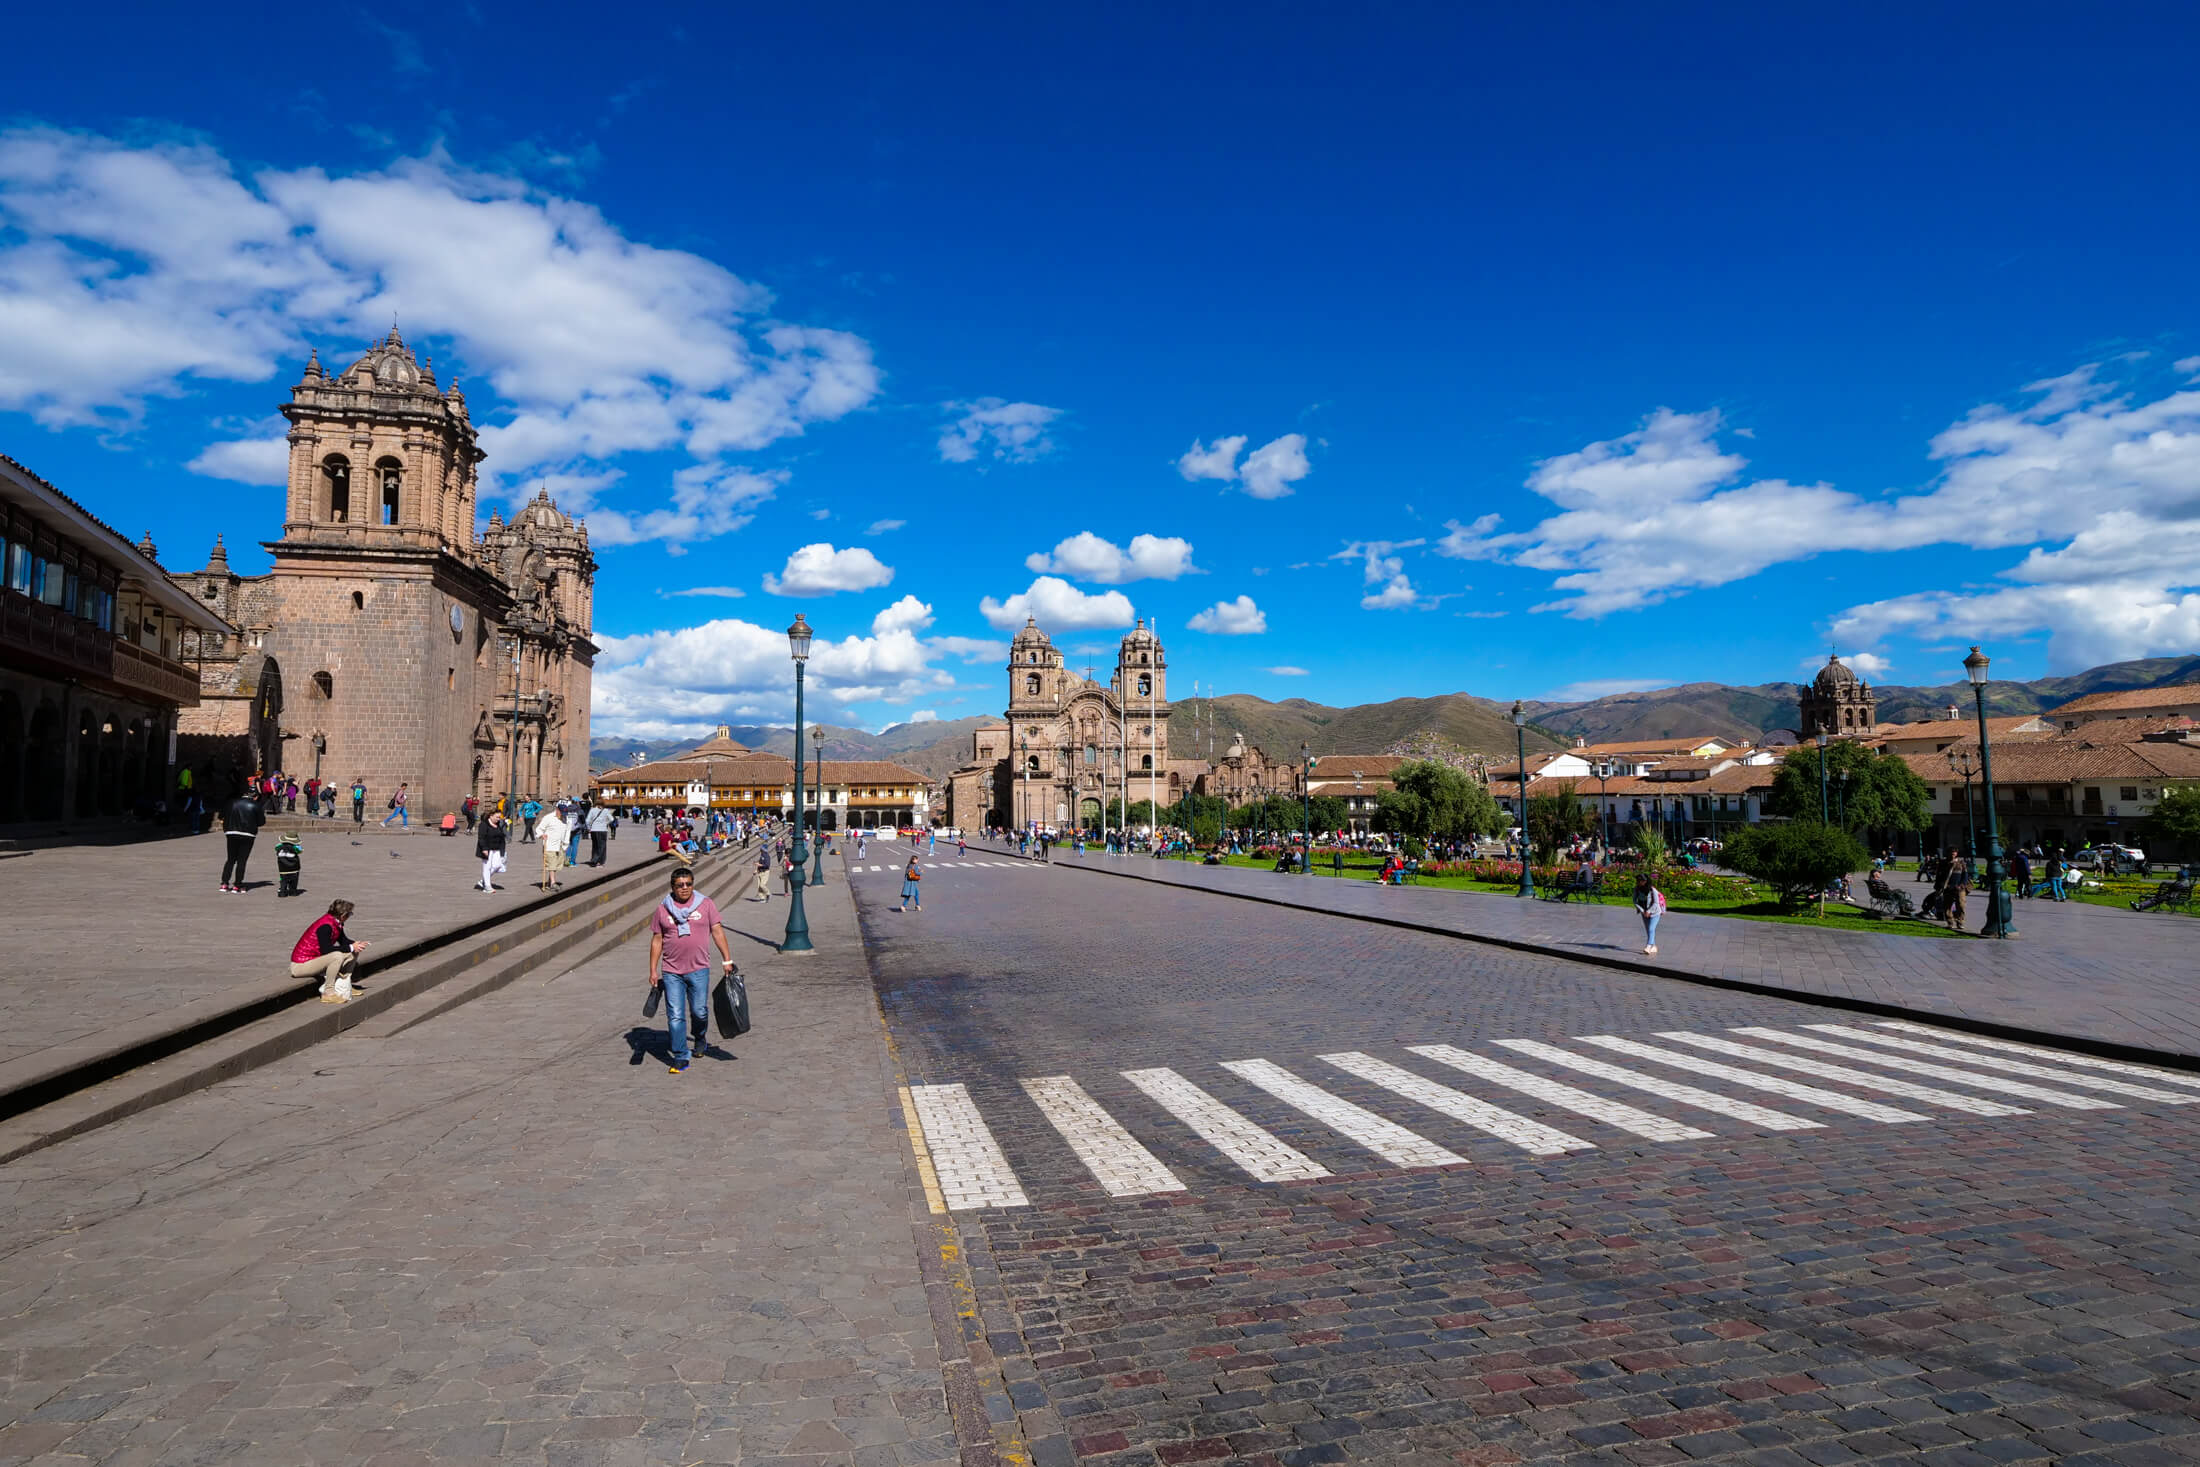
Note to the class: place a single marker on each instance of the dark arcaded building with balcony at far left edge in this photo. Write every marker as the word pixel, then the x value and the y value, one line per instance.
pixel 93 661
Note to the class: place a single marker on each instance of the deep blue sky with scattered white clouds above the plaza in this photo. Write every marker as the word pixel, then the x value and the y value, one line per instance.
pixel 1387 353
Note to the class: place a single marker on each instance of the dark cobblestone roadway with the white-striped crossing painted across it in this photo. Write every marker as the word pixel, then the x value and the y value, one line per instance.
pixel 1248 1184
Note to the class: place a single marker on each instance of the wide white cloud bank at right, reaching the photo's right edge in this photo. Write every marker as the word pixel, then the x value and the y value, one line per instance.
pixel 2100 485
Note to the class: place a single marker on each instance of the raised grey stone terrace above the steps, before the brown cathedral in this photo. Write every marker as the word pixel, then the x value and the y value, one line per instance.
pixel 179 938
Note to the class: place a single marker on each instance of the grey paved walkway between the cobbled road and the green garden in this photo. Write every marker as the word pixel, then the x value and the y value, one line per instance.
pixel 2082 971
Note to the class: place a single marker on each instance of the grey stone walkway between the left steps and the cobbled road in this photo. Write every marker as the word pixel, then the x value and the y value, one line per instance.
pixel 505 1235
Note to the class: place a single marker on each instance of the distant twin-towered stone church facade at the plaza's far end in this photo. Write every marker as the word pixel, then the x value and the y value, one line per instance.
pixel 1072 747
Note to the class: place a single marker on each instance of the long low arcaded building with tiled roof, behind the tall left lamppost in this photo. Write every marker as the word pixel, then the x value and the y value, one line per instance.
pixel 723 775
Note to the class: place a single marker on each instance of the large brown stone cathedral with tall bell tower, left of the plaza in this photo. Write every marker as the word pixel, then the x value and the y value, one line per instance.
pixel 393 641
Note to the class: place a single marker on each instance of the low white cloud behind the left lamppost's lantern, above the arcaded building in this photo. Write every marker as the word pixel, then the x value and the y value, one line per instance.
pixel 738 672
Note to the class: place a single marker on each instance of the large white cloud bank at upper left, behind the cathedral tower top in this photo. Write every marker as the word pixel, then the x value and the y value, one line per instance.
pixel 131 274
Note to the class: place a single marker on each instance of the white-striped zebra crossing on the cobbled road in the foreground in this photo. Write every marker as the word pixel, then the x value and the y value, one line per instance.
pixel 1860 1072
